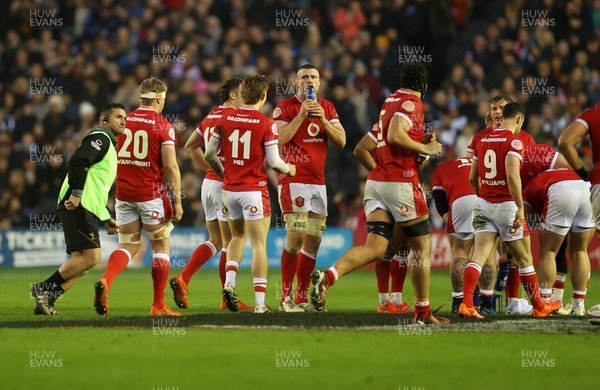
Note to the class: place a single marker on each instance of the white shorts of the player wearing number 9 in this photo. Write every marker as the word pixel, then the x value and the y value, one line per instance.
pixel 498 218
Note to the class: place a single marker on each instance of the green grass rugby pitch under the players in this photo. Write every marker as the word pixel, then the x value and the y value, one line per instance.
pixel 350 346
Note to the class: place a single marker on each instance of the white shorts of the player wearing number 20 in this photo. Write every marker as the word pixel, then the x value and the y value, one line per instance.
pixel 151 212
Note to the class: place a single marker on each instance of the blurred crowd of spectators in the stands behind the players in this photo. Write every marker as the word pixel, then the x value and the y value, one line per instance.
pixel 60 61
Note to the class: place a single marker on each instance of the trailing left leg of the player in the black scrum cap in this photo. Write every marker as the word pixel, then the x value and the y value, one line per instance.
pixel 380 227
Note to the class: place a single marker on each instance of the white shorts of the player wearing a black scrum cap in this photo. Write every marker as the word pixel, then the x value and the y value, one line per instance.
pixel 405 201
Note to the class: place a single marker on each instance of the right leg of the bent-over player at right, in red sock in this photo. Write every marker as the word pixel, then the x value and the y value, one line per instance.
pixel 577 244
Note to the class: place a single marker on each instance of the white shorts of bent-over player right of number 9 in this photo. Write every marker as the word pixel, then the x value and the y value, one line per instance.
pixel 568 207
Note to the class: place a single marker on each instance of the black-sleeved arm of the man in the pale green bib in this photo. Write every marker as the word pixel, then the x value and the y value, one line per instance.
pixel 93 148
